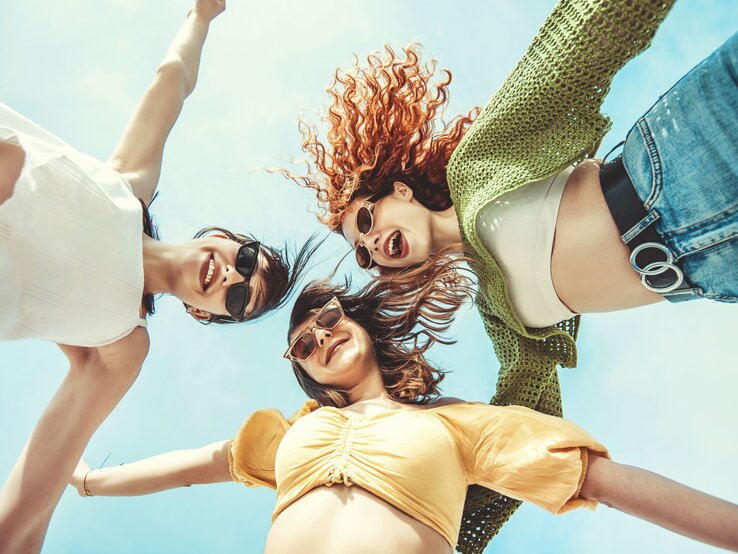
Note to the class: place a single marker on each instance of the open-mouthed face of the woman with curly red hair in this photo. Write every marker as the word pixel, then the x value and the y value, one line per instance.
pixel 400 235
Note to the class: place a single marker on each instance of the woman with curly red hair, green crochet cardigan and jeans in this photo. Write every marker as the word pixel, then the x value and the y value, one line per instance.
pixel 659 222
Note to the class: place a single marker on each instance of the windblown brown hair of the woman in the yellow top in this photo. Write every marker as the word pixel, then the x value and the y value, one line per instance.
pixel 402 320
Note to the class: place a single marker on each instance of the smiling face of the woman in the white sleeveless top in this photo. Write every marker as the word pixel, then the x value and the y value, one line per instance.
pixel 204 272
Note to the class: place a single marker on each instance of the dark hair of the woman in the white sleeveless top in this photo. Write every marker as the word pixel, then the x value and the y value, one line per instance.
pixel 281 274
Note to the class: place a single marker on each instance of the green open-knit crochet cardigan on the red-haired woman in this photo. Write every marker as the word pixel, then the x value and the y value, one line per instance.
pixel 544 118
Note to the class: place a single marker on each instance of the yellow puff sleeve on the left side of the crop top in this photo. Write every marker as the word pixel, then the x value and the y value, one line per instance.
pixel 252 452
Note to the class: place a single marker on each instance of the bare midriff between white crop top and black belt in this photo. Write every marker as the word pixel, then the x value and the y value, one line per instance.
pixel 590 265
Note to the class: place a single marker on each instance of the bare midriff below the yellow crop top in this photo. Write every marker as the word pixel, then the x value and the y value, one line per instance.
pixel 340 519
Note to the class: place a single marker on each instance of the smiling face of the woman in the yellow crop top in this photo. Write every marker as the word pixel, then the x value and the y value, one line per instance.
pixel 344 355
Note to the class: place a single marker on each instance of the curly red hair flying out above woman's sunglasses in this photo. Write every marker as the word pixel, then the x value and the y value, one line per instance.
pixel 384 126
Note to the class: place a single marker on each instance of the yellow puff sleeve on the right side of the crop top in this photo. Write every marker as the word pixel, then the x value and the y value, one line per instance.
pixel 524 454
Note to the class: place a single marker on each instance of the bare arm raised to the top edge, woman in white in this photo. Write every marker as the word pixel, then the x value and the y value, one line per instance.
pixel 139 153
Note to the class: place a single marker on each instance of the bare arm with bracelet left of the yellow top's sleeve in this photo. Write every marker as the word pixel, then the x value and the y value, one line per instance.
pixel 180 468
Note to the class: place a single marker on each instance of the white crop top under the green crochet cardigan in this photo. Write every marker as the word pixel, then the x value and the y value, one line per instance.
pixel 517 229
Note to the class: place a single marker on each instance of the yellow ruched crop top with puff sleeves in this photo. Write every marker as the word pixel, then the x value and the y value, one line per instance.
pixel 420 460
